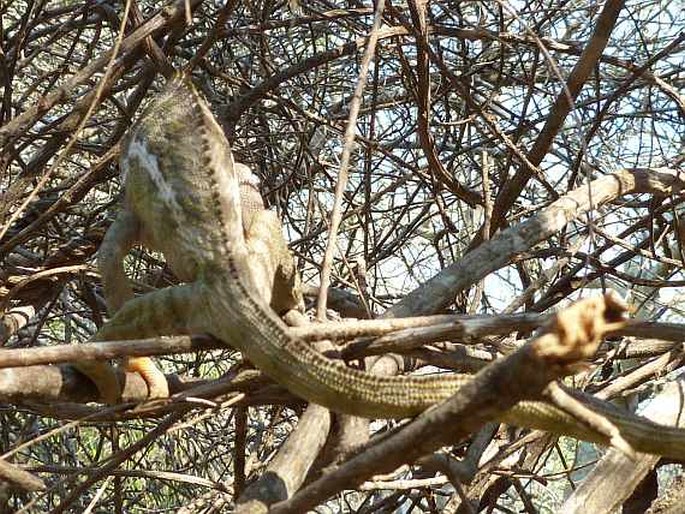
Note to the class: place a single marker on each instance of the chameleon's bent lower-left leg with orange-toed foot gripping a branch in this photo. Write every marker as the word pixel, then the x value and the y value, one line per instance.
pixel 168 311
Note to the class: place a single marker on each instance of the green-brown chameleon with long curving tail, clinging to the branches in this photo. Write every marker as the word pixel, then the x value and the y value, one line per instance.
pixel 183 198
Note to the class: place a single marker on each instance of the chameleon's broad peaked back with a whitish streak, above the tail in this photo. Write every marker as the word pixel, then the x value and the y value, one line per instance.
pixel 174 161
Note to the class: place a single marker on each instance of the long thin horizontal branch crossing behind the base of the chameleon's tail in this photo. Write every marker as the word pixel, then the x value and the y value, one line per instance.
pixel 400 334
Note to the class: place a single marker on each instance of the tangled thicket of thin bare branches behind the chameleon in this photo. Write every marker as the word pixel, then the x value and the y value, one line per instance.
pixel 472 117
